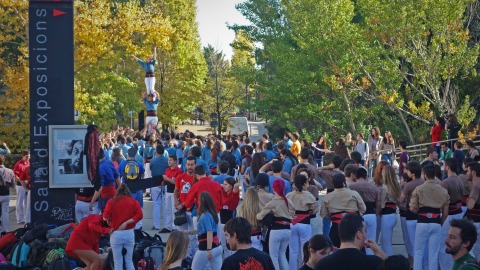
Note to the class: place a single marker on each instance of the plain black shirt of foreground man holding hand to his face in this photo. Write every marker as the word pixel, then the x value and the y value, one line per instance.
pixel 349 259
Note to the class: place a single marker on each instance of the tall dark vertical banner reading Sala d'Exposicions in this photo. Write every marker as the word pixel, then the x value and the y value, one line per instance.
pixel 51 102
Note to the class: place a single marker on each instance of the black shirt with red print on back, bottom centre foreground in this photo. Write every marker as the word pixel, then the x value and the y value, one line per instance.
pixel 251 258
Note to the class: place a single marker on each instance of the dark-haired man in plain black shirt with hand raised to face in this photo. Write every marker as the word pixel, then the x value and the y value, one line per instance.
pixel 351 231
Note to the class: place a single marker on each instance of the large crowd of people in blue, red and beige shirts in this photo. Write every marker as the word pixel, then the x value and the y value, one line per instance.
pixel 230 203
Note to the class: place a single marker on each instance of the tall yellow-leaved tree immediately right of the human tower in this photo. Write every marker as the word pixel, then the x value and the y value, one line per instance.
pixel 182 68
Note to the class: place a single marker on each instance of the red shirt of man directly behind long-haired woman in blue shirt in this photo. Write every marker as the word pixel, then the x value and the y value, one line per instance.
pixel 205 184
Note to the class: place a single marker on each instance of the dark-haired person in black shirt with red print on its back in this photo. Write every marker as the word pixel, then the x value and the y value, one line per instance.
pixel 237 232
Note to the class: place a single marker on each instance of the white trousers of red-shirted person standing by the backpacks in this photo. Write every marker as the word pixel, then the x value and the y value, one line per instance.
pixel 120 240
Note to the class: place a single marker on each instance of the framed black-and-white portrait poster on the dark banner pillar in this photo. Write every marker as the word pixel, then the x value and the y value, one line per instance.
pixel 68 167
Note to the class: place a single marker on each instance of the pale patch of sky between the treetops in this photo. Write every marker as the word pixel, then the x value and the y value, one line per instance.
pixel 212 18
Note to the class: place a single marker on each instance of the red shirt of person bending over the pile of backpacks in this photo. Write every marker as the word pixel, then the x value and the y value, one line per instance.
pixel 86 235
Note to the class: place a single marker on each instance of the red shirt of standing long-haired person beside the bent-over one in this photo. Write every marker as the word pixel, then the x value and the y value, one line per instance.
pixel 121 209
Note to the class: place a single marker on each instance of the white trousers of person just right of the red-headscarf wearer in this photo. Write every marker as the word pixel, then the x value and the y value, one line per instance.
pixel 300 233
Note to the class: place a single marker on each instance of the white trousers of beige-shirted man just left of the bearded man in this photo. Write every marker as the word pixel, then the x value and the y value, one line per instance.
pixel 431 233
